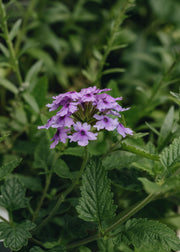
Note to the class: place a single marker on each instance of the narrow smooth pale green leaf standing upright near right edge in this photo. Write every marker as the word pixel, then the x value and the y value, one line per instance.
pixel 166 127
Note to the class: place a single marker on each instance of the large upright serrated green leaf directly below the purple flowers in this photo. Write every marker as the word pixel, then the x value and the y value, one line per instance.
pixel 96 202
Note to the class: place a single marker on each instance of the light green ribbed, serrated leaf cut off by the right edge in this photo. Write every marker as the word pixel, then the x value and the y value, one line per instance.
pixel 170 155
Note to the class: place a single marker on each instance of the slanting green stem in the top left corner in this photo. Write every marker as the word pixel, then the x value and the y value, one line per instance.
pixel 15 62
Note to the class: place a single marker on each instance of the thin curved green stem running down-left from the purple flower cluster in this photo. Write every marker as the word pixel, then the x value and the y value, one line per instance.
pixel 64 194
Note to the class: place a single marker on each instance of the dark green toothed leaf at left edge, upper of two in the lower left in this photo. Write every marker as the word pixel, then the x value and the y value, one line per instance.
pixel 13 194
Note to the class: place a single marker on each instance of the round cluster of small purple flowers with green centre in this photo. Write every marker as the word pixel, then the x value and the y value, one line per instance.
pixel 82 114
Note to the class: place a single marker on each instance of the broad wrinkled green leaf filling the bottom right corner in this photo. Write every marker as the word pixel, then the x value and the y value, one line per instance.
pixel 148 235
